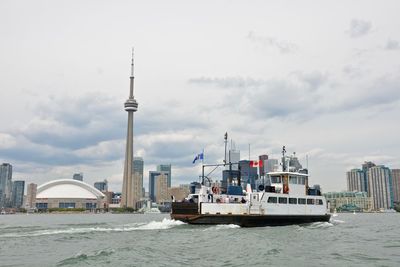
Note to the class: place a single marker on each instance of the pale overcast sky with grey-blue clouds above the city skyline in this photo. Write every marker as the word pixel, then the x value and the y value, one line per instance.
pixel 319 77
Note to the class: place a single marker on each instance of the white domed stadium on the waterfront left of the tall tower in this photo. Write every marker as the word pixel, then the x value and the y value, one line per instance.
pixel 68 193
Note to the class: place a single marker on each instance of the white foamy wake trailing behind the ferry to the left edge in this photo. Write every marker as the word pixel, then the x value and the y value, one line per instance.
pixel 153 225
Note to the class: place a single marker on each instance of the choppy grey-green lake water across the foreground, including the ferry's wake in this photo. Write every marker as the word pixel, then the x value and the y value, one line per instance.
pixel 155 240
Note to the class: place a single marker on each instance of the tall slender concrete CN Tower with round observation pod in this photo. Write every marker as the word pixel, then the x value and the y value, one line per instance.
pixel 127 198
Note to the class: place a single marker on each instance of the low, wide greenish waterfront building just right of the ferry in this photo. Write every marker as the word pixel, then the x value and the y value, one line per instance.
pixel 349 201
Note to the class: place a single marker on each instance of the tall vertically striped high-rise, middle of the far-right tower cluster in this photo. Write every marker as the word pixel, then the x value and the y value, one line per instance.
pixel 380 187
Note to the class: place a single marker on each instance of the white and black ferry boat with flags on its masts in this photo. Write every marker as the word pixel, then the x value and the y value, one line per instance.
pixel 283 198
